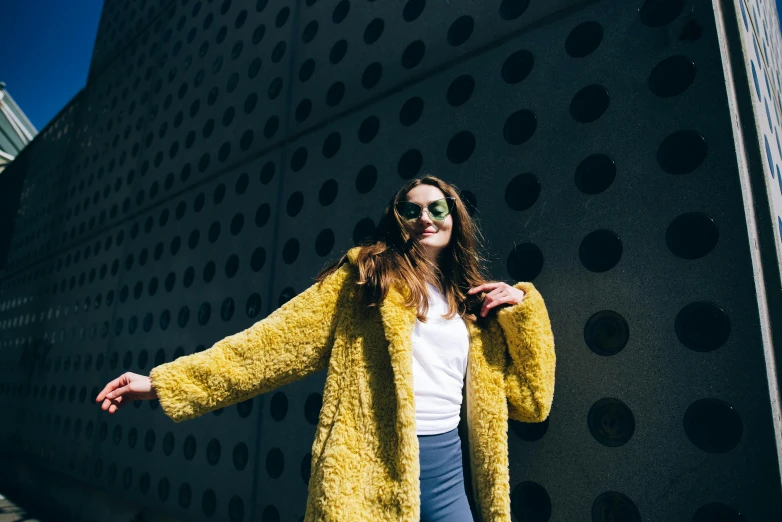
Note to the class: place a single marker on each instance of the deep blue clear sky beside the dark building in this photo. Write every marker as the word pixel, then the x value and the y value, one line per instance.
pixel 47 47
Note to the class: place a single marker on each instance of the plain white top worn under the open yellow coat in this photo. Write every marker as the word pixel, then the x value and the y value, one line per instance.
pixel 440 349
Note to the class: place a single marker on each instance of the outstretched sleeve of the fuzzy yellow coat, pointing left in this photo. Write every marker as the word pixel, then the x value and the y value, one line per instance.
pixel 290 343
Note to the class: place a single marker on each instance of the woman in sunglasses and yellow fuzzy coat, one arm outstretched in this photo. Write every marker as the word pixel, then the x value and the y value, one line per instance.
pixel 415 340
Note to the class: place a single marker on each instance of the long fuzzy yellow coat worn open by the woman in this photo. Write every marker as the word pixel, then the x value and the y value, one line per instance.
pixel 365 463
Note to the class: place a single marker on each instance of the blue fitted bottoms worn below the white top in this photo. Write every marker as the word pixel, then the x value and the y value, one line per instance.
pixel 443 494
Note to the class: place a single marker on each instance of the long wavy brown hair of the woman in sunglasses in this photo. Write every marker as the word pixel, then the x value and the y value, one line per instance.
pixel 393 256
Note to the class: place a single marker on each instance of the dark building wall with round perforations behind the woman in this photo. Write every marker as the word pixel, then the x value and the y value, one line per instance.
pixel 223 152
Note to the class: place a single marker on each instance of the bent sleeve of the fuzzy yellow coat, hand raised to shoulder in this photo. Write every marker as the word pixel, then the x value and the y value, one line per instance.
pixel 529 375
